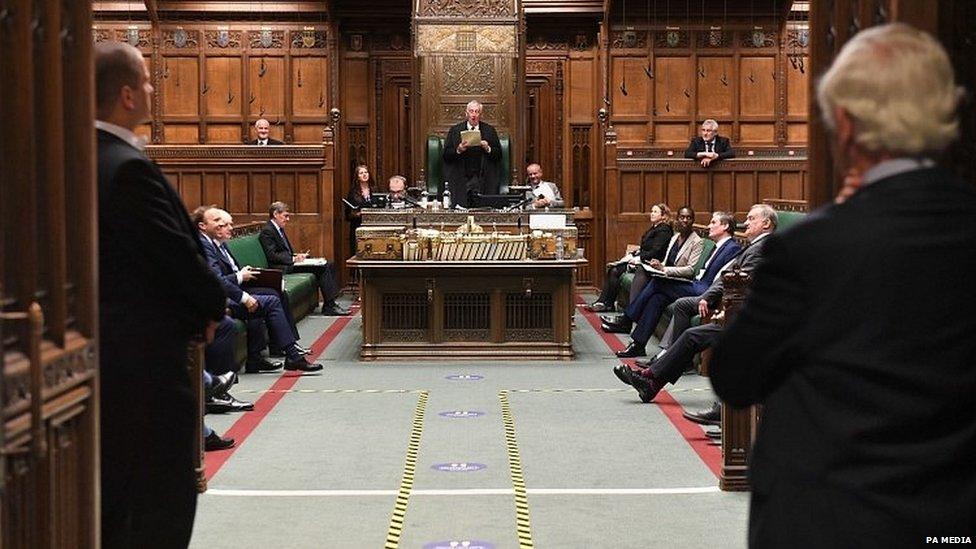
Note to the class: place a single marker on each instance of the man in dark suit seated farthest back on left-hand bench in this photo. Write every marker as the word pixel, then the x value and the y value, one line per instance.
pixel 278 250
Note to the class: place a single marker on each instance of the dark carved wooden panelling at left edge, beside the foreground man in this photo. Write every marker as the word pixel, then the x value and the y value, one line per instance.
pixel 48 303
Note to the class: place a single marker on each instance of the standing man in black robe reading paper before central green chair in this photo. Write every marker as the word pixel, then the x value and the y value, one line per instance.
pixel 474 169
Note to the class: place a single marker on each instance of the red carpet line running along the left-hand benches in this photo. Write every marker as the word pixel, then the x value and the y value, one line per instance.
pixel 247 423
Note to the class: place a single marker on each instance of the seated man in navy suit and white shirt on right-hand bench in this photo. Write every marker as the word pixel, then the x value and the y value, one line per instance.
pixel 661 292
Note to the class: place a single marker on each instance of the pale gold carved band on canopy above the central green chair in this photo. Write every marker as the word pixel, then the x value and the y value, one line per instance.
pixel 466 38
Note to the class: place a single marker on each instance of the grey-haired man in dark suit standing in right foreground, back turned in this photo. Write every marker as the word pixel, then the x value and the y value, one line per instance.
pixel 868 431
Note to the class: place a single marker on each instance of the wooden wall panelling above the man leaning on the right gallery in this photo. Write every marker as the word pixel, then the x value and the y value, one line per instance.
pixel 665 81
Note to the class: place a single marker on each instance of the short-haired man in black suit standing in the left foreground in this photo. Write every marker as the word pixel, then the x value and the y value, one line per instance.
pixel 148 312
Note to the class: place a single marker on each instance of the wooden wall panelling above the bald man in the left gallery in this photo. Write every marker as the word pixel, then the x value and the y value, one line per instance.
pixel 214 80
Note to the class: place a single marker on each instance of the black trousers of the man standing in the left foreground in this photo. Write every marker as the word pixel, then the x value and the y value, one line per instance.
pixel 148 485
